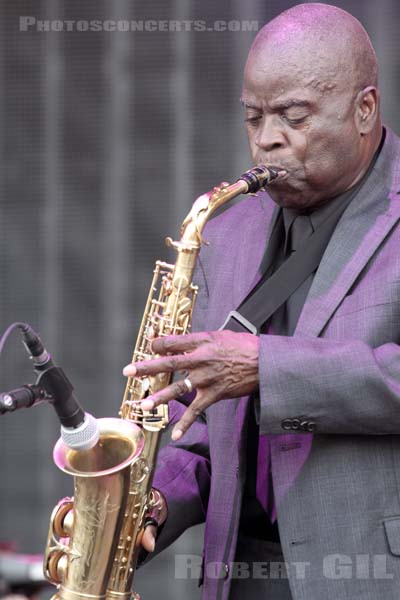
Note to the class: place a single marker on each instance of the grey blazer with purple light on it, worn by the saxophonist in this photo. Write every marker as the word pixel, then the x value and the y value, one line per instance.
pixel 338 488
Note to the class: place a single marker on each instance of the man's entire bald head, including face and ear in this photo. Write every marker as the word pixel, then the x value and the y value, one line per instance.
pixel 312 103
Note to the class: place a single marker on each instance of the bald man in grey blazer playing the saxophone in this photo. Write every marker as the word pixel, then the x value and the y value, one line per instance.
pixel 321 384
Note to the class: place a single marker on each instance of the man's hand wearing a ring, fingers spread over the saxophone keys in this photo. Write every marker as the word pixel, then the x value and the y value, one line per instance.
pixel 219 364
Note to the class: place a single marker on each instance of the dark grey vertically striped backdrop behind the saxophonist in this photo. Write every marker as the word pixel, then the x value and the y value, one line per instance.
pixel 106 139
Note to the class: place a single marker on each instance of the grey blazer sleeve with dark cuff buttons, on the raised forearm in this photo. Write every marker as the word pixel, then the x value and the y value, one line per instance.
pixel 328 386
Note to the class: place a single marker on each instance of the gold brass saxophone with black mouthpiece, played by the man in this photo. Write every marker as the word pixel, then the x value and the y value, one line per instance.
pixel 94 538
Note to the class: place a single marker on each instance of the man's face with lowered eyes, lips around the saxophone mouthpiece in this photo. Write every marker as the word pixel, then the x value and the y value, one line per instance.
pixel 305 124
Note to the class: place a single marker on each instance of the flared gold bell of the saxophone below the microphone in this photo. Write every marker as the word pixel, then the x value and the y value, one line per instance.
pixel 83 531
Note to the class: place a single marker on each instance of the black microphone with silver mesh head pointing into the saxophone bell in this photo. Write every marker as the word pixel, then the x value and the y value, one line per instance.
pixel 79 430
